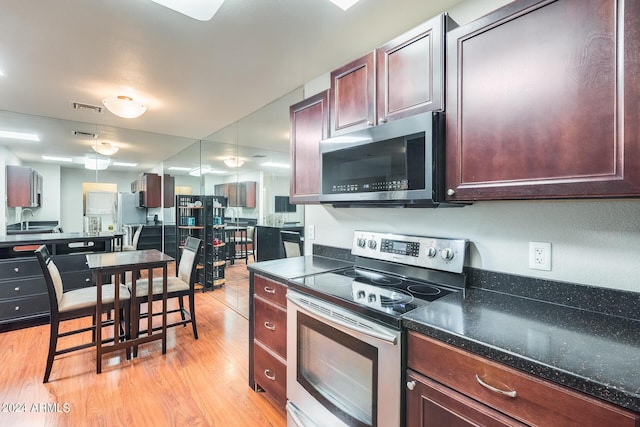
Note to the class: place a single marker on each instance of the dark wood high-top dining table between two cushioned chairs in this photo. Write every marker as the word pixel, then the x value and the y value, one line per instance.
pixel 117 264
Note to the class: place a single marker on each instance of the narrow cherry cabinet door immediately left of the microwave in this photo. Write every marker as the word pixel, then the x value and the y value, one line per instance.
pixel 309 122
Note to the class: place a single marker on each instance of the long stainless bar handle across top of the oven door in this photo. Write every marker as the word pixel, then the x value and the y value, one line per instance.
pixel 334 314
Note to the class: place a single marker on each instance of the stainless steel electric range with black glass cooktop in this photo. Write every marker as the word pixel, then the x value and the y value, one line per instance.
pixel 344 343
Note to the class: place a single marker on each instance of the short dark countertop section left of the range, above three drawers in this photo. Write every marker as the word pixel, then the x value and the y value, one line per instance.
pixel 290 268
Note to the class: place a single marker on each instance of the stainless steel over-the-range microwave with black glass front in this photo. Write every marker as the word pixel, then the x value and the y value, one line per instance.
pixel 400 163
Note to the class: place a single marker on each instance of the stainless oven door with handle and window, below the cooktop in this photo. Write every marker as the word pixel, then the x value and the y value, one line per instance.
pixel 342 369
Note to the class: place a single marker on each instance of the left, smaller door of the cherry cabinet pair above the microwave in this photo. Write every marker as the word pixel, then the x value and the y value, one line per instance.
pixel 352 96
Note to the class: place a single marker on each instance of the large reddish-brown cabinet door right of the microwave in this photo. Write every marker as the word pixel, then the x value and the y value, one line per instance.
pixel 542 102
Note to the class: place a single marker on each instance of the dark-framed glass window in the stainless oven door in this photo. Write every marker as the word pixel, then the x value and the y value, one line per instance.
pixel 338 370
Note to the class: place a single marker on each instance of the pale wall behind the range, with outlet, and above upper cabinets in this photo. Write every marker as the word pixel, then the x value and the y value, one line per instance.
pixel 594 242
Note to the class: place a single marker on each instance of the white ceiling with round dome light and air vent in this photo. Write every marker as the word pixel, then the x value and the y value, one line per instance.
pixel 195 77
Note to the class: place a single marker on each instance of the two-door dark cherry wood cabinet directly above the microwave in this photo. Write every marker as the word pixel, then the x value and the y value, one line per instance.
pixel 402 78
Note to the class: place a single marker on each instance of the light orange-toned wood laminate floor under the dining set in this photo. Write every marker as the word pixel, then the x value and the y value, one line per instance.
pixel 197 383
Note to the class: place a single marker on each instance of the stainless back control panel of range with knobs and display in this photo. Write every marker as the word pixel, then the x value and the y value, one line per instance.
pixel 429 252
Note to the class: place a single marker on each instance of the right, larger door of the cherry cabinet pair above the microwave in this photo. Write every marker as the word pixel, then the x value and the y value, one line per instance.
pixel 410 72
